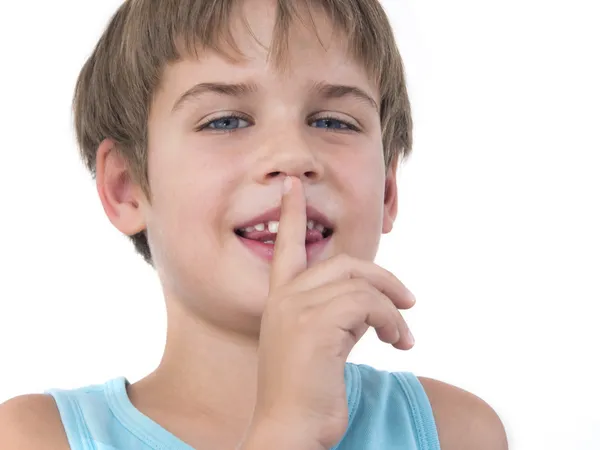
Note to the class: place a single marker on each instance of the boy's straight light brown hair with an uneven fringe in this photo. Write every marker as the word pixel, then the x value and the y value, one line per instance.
pixel 115 88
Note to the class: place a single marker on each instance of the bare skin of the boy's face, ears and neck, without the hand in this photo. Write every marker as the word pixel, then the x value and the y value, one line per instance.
pixel 206 182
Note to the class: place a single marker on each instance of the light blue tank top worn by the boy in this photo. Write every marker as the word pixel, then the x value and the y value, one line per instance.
pixel 387 410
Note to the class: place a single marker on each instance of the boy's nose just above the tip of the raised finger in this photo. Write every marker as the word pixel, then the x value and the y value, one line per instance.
pixel 287 155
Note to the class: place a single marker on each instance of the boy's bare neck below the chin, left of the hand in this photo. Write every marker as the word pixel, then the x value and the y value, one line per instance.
pixel 207 373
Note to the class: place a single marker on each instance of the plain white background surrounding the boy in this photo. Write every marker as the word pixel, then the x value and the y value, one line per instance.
pixel 498 233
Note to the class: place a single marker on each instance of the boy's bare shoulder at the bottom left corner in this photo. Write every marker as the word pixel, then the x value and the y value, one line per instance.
pixel 31 422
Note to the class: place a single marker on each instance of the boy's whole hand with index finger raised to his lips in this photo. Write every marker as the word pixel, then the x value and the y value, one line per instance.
pixel 312 320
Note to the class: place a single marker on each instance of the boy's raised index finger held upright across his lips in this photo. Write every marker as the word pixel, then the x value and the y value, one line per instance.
pixel 289 257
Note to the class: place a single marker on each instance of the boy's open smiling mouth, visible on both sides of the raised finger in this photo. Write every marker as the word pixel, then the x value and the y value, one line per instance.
pixel 260 233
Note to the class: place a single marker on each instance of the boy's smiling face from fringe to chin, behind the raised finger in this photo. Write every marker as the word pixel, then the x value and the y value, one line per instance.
pixel 218 160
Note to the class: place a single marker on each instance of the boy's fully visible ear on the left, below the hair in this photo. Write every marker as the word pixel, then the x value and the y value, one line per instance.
pixel 121 198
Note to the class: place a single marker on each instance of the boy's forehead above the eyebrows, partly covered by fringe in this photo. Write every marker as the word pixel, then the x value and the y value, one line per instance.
pixel 258 40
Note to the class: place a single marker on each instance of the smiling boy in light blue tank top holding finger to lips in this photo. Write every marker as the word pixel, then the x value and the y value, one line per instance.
pixel 250 150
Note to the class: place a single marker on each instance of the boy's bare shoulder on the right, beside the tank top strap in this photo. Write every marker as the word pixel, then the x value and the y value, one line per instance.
pixel 463 420
